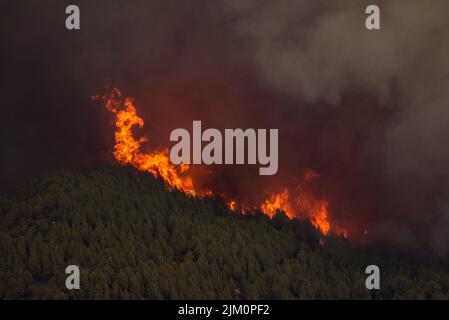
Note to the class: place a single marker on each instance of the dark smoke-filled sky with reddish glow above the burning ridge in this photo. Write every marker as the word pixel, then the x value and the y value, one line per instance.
pixel 367 110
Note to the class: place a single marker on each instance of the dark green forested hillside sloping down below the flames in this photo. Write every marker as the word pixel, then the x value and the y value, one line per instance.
pixel 134 239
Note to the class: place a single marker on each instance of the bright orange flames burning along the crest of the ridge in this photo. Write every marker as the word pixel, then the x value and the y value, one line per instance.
pixel 295 203
